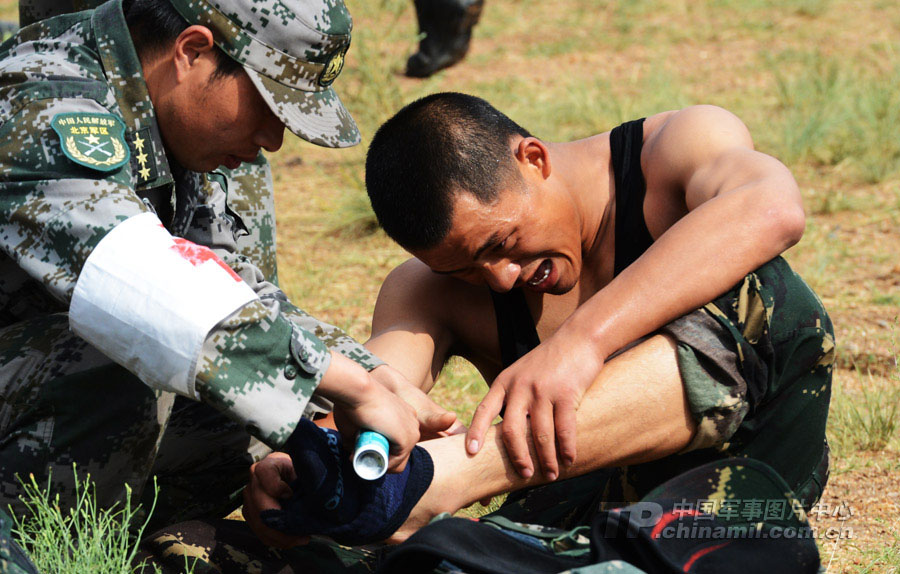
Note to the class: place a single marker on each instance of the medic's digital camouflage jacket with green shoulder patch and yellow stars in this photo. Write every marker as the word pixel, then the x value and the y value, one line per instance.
pixel 71 75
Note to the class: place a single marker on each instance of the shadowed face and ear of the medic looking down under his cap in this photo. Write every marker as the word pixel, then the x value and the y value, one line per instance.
pixel 207 120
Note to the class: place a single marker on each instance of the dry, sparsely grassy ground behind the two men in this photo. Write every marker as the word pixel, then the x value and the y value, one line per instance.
pixel 815 80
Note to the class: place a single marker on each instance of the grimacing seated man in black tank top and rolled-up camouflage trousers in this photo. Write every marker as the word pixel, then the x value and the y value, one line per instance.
pixel 675 233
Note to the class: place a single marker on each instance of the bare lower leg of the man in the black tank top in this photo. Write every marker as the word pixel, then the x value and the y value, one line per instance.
pixel 636 411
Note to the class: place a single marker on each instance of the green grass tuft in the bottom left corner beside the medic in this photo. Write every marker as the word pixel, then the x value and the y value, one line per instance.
pixel 84 539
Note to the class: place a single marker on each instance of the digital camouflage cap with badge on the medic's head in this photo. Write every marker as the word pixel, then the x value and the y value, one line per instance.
pixel 292 50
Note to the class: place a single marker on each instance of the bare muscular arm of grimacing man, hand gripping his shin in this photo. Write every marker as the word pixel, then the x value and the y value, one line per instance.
pixel 741 208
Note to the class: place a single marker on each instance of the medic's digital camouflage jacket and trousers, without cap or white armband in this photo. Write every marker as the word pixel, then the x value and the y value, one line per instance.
pixel 64 401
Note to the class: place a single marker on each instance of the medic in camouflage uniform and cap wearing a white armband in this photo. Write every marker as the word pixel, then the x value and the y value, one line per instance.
pixel 142 331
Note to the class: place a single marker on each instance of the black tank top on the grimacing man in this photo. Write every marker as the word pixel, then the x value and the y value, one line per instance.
pixel 515 325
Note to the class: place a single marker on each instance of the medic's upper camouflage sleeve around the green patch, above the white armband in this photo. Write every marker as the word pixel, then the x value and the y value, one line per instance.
pixel 53 213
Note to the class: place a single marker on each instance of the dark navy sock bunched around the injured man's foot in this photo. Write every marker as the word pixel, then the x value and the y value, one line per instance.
pixel 331 500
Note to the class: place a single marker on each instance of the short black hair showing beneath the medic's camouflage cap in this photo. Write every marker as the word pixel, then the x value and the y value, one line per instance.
pixel 154 25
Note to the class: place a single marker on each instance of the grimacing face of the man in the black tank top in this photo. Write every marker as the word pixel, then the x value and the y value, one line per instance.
pixel 526 238
